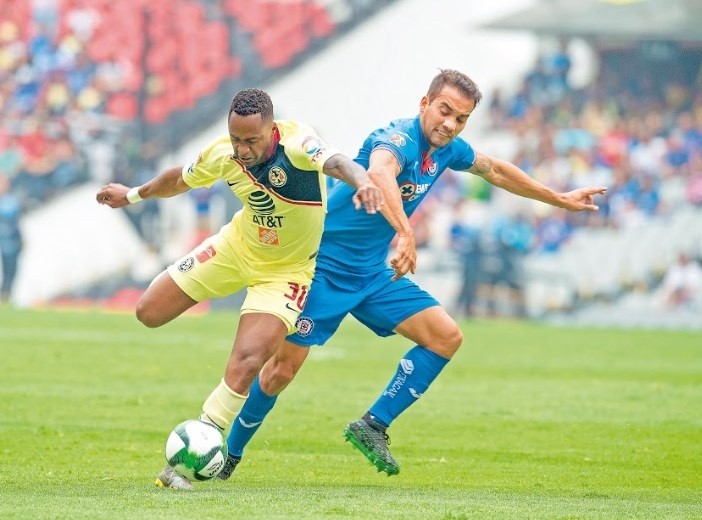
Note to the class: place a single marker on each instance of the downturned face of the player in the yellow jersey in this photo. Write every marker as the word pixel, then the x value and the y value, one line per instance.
pixel 251 138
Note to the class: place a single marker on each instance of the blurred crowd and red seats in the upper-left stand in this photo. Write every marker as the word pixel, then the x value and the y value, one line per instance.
pixel 98 90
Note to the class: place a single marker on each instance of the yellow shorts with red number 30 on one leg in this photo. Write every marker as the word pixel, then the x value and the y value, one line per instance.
pixel 216 269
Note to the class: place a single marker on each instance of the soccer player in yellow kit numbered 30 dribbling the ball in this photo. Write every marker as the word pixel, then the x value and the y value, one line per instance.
pixel 269 247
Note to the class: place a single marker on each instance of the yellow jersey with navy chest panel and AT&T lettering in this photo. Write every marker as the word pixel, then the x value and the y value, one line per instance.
pixel 284 199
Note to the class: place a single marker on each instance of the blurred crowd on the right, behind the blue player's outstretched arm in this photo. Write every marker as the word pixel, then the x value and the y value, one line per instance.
pixel 636 128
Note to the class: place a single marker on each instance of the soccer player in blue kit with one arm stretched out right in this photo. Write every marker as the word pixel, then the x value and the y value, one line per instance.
pixel 404 159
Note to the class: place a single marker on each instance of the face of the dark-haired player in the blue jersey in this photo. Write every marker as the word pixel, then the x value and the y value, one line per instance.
pixel 445 116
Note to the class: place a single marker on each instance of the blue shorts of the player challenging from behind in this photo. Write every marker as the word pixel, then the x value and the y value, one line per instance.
pixel 372 298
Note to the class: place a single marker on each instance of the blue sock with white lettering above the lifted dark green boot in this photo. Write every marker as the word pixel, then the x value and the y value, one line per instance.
pixel 416 371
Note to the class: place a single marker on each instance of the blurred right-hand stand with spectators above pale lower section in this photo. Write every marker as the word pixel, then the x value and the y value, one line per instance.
pixel 636 128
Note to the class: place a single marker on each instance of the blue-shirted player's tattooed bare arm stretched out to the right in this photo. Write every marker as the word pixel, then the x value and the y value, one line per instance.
pixel 507 176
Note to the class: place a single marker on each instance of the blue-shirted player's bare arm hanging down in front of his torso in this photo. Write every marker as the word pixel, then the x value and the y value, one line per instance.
pixel 383 171
